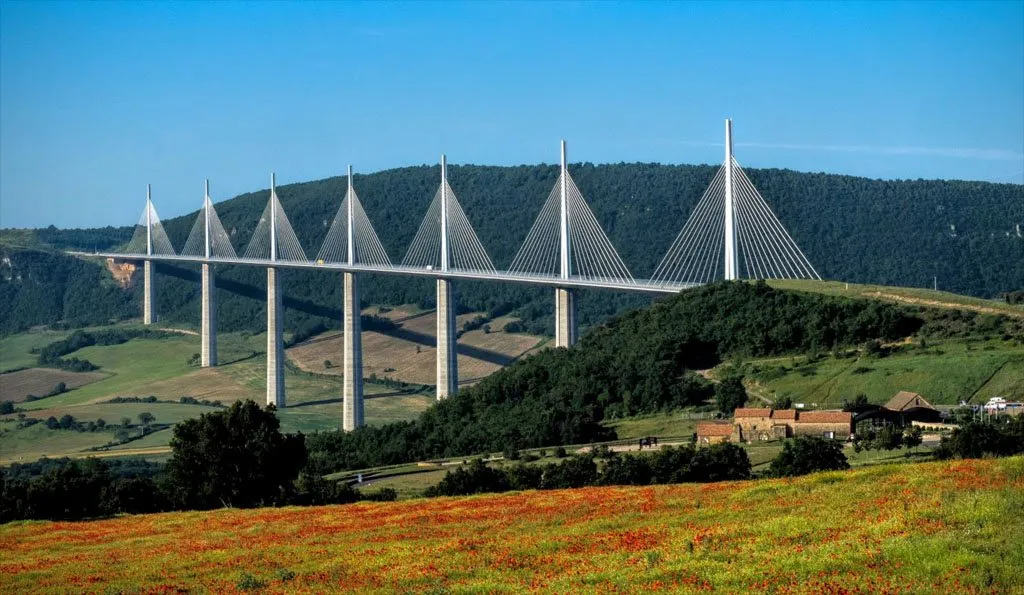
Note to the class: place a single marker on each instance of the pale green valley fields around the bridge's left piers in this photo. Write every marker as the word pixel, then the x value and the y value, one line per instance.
pixel 159 368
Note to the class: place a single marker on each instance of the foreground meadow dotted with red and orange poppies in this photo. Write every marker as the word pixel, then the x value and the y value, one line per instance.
pixel 934 528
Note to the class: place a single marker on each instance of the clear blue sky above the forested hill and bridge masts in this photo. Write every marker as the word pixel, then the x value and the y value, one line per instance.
pixel 100 99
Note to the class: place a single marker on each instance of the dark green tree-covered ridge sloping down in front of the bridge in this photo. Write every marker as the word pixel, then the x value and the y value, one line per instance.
pixel 641 363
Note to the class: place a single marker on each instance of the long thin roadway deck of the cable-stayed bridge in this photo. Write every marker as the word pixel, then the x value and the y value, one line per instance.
pixel 540 280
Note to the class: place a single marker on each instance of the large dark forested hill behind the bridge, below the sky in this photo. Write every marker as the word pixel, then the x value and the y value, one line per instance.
pixel 969 235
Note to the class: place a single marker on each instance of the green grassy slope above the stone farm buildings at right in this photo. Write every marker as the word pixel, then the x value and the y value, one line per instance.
pixel 945 374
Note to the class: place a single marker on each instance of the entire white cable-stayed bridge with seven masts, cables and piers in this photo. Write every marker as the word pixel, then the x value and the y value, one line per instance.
pixel 733 234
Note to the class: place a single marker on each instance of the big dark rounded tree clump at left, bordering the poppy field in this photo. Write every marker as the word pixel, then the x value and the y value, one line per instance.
pixel 236 457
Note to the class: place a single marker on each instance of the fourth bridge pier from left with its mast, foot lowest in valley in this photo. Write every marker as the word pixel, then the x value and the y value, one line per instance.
pixel 353 392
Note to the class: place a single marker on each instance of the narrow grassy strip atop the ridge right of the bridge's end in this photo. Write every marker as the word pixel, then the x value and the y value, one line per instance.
pixel 917 296
